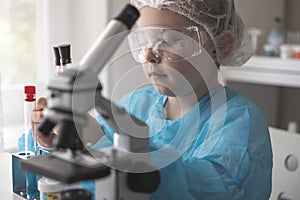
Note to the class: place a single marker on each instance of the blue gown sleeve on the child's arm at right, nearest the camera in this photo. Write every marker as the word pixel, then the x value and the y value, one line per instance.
pixel 233 162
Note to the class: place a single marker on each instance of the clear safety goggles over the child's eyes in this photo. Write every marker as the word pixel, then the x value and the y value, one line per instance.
pixel 173 44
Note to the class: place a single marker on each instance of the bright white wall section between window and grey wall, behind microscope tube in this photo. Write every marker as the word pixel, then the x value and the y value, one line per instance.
pixel 70 21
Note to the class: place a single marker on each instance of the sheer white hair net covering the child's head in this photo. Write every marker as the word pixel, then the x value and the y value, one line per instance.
pixel 215 16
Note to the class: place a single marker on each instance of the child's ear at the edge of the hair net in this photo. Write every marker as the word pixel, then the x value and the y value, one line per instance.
pixel 224 43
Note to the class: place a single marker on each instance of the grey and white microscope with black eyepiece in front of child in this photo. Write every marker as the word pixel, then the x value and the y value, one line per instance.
pixel 122 171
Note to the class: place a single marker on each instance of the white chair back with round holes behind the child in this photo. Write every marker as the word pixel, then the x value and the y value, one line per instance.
pixel 286 170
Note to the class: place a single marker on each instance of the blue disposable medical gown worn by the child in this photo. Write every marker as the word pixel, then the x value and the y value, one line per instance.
pixel 223 142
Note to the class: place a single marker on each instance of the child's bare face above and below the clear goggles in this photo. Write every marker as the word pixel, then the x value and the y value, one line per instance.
pixel 177 78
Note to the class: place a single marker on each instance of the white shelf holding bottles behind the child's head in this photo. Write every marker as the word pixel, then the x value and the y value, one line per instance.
pixel 264 70
